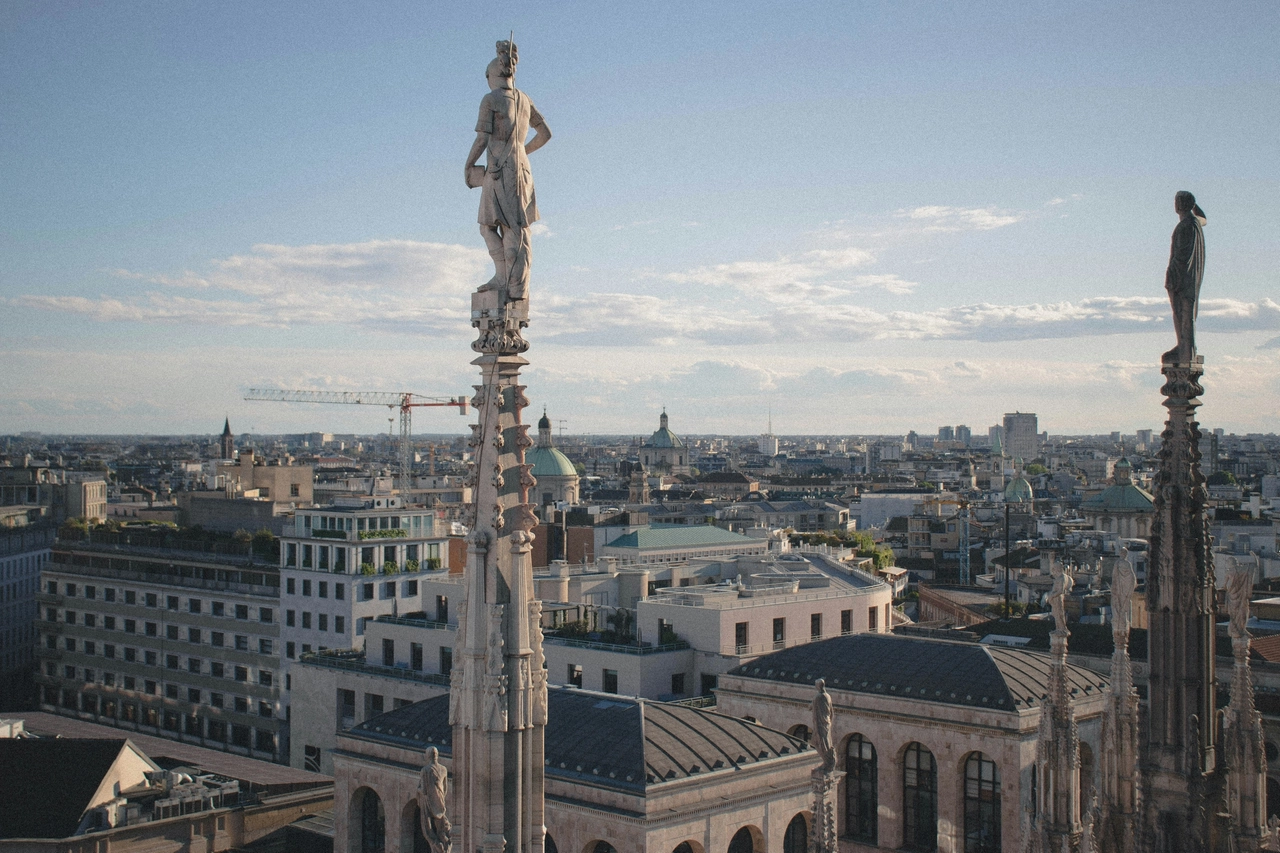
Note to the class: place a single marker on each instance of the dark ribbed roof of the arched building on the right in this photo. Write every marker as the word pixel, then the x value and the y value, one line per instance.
pixel 922 670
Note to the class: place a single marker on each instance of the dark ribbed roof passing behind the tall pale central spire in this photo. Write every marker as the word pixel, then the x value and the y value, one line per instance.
pixel 609 741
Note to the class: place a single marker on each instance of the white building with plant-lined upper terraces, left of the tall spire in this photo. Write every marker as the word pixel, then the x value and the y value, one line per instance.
pixel 348 564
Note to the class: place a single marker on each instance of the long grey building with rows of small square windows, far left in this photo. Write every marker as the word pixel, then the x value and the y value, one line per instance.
pixel 164 644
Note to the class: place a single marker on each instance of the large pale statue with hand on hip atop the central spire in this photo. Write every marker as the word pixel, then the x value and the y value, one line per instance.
pixel 508 202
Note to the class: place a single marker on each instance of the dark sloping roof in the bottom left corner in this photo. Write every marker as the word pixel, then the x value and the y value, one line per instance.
pixel 47 784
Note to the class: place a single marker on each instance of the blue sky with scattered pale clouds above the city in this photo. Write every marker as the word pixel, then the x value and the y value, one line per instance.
pixel 851 218
